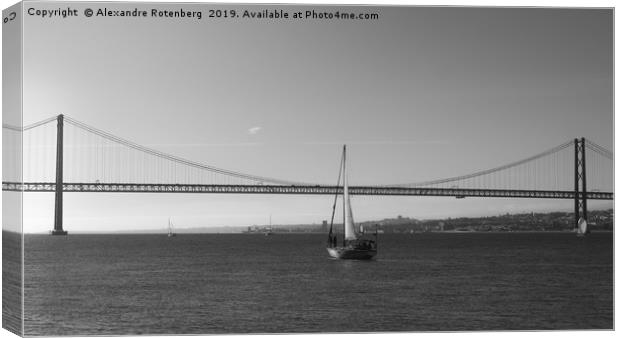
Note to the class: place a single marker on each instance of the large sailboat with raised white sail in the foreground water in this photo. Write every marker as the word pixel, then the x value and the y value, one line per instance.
pixel 352 246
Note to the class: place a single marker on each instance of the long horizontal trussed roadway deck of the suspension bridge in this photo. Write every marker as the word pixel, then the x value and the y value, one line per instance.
pixel 298 189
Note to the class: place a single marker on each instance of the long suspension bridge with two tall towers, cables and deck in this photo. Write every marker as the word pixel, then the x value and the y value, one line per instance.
pixel 87 159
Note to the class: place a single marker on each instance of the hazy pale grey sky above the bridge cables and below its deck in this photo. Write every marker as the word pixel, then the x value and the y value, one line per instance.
pixel 420 93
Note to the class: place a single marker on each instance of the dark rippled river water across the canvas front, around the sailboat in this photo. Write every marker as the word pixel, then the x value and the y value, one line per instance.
pixel 234 283
